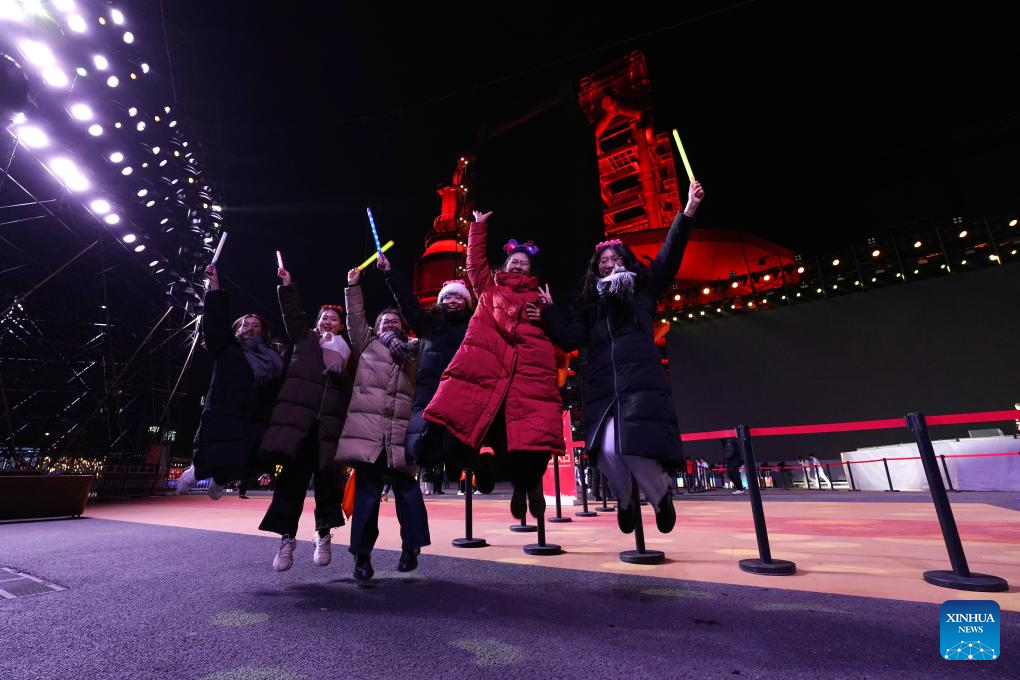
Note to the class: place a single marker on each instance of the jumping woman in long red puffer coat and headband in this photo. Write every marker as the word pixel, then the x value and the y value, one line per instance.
pixel 504 375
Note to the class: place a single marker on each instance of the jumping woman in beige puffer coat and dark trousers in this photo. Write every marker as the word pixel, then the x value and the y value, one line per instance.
pixel 374 436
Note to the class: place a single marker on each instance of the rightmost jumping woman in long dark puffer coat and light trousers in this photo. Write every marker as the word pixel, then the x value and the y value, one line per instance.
pixel 630 420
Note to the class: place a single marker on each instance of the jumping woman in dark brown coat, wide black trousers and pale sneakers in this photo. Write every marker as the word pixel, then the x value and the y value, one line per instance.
pixel 307 424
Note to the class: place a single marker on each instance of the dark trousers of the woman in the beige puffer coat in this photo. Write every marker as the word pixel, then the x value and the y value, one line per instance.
pixel 412 513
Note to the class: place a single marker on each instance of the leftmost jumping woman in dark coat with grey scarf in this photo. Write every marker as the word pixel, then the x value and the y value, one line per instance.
pixel 246 375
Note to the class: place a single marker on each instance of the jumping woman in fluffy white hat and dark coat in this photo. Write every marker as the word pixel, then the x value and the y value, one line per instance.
pixel 441 331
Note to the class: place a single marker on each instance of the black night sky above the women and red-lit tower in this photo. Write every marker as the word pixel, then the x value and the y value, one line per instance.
pixel 815 129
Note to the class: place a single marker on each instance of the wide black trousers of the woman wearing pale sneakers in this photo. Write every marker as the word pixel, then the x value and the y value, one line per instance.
pixel 292 485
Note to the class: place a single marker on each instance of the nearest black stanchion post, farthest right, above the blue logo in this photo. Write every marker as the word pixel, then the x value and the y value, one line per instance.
pixel 961 578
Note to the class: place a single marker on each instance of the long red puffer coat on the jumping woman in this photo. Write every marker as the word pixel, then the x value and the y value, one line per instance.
pixel 505 360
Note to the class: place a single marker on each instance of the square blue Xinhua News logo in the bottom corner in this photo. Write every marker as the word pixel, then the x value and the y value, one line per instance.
pixel 968 631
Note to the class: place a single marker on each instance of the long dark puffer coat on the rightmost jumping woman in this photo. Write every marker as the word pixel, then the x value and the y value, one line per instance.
pixel 624 372
